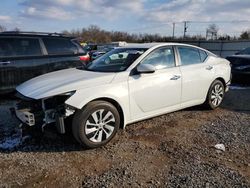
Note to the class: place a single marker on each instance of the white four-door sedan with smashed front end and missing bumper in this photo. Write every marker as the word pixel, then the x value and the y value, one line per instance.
pixel 126 85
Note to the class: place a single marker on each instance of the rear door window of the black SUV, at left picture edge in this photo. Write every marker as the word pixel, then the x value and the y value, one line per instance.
pixel 12 47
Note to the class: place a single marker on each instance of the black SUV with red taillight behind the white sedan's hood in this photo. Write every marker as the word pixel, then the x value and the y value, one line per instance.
pixel 24 55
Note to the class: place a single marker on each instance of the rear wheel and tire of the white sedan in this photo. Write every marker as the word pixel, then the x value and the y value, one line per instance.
pixel 213 95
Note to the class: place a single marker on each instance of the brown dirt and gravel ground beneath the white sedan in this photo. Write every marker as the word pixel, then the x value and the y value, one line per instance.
pixel 172 150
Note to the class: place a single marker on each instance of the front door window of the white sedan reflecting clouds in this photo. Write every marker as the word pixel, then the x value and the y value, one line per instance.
pixel 161 58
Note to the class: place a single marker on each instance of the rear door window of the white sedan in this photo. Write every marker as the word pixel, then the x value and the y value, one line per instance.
pixel 189 55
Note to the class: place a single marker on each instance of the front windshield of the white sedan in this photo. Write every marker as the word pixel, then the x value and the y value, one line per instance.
pixel 116 60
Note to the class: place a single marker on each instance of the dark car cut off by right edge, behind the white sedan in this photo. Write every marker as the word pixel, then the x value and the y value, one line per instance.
pixel 240 66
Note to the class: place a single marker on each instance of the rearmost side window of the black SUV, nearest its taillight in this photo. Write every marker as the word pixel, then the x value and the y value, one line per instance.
pixel 59 46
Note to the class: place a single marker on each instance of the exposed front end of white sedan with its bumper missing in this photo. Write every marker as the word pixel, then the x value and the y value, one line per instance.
pixel 42 112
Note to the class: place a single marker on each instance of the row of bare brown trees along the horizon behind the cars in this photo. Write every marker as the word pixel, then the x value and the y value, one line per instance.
pixel 94 34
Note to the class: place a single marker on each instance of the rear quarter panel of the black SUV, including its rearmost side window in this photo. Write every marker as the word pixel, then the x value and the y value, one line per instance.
pixel 62 53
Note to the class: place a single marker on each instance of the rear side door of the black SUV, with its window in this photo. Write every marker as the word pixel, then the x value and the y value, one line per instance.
pixel 21 58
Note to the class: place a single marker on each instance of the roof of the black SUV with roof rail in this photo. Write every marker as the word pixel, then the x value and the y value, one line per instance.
pixel 33 34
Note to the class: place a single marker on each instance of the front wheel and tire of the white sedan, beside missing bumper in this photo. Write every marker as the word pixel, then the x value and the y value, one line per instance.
pixel 104 131
